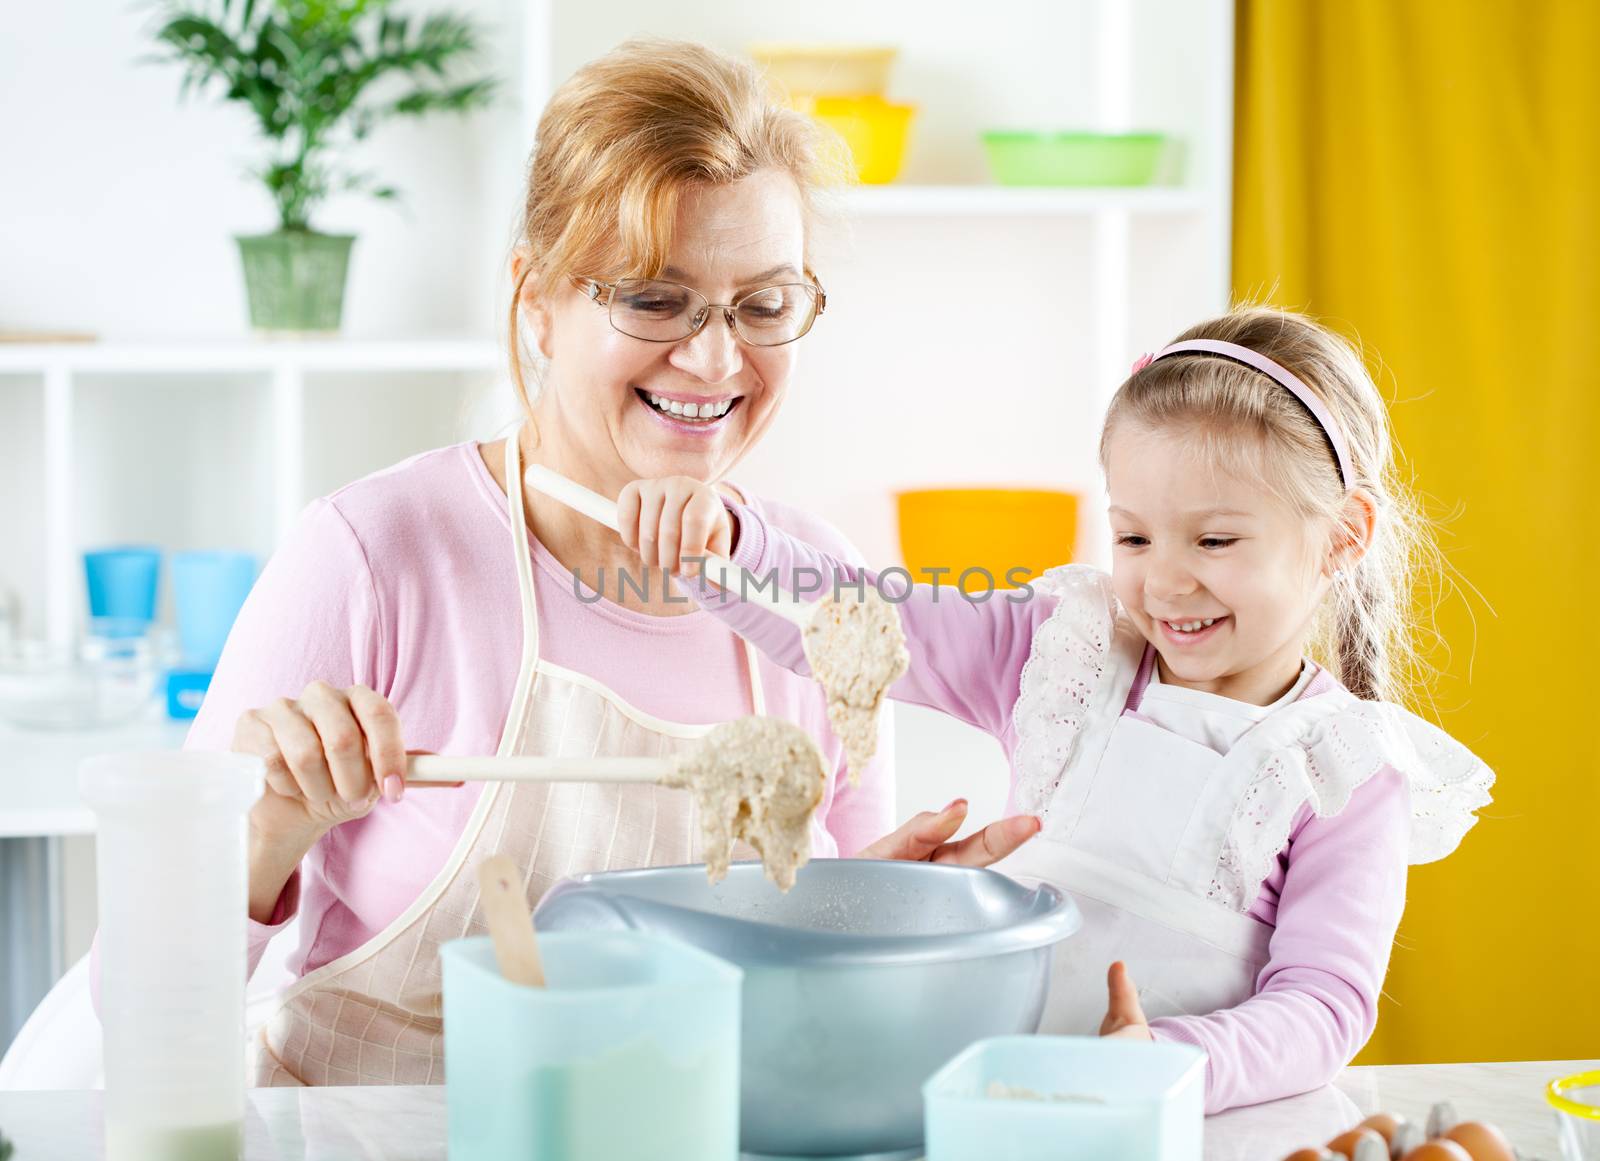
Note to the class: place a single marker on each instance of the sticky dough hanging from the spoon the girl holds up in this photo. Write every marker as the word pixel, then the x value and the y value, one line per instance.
pixel 857 650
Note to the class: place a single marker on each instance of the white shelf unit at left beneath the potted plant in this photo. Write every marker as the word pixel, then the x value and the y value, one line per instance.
pixel 207 444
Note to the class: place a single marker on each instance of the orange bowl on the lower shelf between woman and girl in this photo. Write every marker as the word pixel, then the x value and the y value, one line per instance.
pixel 1009 535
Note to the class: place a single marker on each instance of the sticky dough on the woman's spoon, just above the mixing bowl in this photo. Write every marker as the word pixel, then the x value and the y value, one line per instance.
pixel 756 780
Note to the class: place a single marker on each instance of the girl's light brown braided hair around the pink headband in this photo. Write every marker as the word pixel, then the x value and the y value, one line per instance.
pixel 1250 425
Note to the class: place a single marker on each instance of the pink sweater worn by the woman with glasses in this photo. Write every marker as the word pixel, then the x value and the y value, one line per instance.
pixel 406 583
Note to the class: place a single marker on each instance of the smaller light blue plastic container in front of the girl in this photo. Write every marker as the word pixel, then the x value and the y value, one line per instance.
pixel 1068 1099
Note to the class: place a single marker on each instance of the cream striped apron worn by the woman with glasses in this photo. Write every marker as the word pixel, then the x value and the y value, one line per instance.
pixel 375 1016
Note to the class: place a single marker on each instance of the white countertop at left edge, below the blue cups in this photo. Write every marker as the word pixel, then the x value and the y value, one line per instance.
pixel 39 773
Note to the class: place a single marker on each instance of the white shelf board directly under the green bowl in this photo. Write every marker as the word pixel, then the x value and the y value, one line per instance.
pixel 1015 201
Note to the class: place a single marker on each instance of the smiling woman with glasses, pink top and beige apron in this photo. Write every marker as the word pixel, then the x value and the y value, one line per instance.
pixel 662 273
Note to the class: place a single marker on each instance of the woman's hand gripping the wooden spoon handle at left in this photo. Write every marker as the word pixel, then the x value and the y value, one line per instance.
pixel 330 756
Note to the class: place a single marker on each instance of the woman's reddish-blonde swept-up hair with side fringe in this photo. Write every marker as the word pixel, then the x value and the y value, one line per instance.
pixel 622 143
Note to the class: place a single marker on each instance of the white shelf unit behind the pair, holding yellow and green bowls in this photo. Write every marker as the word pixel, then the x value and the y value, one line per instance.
pixel 1039 298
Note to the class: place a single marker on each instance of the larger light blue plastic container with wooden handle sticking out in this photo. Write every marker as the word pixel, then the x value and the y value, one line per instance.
pixel 633 1051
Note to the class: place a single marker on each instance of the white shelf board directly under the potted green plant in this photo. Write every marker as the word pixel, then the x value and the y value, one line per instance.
pixel 255 356
